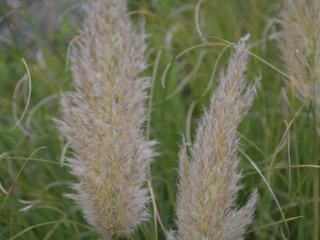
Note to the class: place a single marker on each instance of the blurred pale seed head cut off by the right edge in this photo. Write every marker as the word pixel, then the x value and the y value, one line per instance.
pixel 300 47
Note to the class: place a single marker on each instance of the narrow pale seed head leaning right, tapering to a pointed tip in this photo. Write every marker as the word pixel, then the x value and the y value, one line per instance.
pixel 209 179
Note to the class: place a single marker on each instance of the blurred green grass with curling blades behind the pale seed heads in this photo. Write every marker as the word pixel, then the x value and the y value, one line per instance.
pixel 278 135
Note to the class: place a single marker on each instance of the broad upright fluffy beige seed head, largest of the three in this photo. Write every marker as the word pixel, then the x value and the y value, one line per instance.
pixel 103 120
